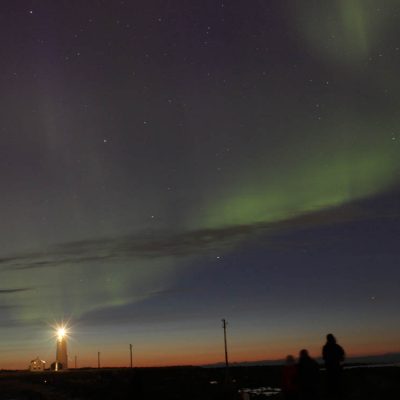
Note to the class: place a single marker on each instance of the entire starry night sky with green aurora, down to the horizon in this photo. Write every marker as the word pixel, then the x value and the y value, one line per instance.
pixel 165 164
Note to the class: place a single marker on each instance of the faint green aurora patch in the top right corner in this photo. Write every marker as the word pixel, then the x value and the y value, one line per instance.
pixel 345 31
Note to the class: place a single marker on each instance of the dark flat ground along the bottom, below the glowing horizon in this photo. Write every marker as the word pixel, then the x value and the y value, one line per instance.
pixel 189 383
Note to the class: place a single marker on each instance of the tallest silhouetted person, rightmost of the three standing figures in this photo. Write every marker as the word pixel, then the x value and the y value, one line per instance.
pixel 333 356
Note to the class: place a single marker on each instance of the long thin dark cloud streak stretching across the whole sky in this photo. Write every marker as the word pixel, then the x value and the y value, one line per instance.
pixel 186 243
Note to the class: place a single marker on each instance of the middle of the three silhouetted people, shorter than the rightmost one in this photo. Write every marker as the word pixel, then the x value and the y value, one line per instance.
pixel 308 370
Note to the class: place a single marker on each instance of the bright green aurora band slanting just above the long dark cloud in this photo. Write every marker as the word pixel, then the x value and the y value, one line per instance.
pixel 313 186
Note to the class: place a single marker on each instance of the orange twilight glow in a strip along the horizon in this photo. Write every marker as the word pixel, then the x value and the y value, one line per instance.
pixel 169 354
